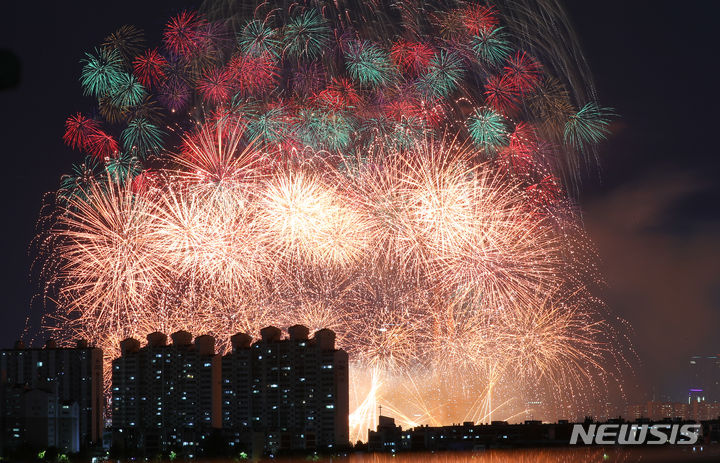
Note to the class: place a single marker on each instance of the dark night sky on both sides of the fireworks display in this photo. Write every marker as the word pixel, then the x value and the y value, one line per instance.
pixel 652 211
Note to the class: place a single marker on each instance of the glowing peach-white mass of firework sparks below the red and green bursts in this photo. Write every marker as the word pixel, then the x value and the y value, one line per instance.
pixel 432 270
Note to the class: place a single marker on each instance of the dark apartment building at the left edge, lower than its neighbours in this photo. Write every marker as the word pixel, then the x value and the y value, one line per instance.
pixel 51 397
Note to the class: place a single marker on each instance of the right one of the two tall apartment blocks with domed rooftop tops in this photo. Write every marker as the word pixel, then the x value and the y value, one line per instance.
pixel 290 394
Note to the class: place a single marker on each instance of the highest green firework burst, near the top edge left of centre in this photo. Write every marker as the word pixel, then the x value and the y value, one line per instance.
pixel 306 35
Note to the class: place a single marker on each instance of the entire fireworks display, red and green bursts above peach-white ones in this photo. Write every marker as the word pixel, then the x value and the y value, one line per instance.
pixel 340 171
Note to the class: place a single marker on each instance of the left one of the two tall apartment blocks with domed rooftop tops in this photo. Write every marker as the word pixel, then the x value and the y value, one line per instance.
pixel 165 397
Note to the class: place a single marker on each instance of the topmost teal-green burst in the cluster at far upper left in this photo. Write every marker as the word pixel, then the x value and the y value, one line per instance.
pixel 101 72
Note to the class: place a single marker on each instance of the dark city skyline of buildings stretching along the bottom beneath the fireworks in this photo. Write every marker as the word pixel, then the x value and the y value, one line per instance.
pixel 196 392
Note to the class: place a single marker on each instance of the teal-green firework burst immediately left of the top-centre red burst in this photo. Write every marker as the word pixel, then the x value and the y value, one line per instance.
pixel 368 64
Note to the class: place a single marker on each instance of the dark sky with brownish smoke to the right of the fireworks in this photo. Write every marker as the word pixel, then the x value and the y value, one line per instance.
pixel 654 213
